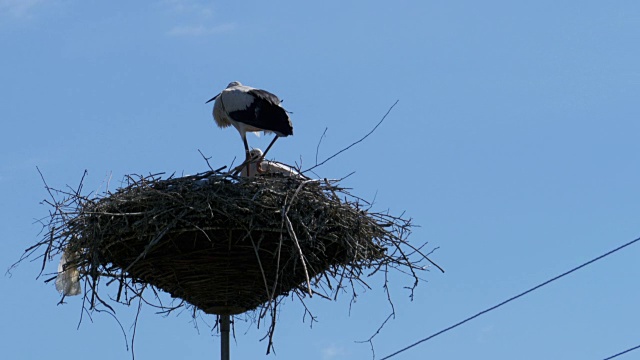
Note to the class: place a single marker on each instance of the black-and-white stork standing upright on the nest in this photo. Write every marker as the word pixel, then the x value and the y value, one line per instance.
pixel 251 110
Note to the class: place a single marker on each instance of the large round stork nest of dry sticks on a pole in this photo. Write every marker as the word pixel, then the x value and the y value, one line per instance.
pixel 222 244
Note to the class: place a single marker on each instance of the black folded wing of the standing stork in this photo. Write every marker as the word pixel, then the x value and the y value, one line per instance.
pixel 265 113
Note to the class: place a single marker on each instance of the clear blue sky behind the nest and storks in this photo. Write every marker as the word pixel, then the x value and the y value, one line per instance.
pixel 514 145
